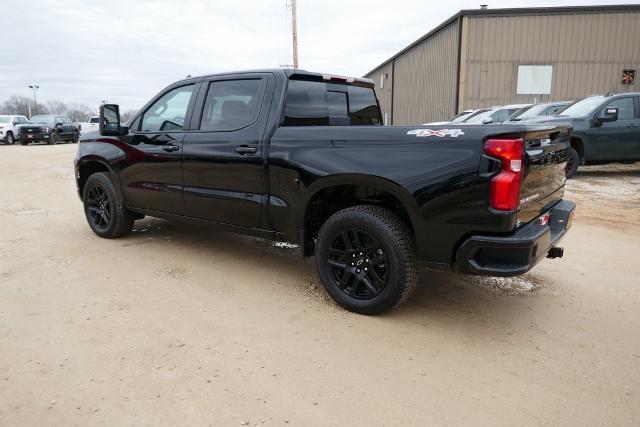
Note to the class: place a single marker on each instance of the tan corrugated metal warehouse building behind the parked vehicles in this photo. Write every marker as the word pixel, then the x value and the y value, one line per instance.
pixel 485 57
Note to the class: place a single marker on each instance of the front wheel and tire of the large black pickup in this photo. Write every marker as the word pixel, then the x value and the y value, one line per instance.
pixel 103 207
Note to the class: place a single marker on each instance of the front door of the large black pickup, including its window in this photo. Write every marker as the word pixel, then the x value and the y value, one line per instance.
pixel 152 179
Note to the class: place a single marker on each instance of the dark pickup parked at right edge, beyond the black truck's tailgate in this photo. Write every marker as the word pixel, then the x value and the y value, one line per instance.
pixel 606 128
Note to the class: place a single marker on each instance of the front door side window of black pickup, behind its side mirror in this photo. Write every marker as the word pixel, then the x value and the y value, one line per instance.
pixel 168 113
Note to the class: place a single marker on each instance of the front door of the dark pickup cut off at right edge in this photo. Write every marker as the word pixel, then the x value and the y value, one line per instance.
pixel 616 140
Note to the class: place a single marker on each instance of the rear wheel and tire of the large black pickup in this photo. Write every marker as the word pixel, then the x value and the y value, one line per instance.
pixel 377 278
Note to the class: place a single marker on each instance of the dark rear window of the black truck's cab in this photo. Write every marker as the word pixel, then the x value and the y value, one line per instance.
pixel 317 103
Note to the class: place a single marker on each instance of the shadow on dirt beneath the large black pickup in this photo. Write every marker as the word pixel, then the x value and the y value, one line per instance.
pixel 443 295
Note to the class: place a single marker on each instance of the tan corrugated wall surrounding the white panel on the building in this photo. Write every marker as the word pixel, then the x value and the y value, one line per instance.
pixel 588 52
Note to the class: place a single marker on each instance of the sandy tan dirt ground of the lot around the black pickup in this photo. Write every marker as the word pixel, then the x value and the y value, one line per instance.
pixel 181 325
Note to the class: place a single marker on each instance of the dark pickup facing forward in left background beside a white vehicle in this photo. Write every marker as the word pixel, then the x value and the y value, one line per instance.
pixel 49 129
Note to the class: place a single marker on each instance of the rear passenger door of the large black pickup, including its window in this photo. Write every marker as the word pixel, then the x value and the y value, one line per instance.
pixel 222 159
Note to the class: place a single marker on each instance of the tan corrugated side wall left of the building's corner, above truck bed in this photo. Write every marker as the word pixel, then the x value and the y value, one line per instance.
pixel 425 79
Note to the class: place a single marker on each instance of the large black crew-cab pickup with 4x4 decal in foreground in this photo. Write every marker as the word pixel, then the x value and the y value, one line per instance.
pixel 301 157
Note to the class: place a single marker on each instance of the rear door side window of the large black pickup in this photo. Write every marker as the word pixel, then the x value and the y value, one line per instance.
pixel 231 104
